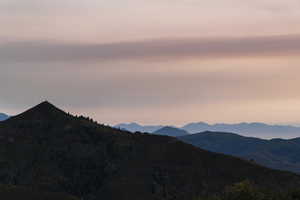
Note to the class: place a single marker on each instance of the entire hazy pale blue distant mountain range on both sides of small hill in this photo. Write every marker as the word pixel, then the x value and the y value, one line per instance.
pixel 260 130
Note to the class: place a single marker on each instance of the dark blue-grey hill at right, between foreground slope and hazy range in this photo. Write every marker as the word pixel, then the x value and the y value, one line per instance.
pixel 275 153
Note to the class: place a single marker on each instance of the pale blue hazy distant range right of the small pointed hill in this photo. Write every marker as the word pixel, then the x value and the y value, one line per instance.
pixel 247 129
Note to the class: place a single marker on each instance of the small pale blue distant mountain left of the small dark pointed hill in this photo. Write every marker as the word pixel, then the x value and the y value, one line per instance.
pixel 134 127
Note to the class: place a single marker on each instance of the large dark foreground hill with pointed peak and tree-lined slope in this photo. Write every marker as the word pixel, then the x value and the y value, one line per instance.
pixel 46 149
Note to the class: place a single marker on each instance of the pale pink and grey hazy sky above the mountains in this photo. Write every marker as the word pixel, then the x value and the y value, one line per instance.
pixel 153 62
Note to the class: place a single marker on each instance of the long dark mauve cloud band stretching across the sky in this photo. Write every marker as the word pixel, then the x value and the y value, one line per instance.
pixel 165 49
